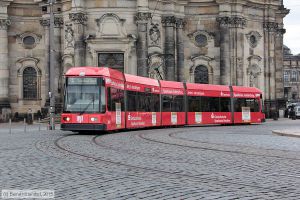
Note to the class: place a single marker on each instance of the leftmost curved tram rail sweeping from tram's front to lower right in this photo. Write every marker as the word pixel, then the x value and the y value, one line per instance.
pixel 195 178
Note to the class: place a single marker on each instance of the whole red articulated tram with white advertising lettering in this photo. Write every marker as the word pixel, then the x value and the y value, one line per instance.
pixel 99 98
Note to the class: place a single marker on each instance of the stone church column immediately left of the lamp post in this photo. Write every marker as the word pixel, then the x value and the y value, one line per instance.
pixel 45 23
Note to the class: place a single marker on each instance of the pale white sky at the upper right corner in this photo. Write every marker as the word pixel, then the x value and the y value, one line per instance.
pixel 292 26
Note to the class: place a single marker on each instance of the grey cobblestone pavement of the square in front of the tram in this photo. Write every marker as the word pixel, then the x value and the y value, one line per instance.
pixel 213 162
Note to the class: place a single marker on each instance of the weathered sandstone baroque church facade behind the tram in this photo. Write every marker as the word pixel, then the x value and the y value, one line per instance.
pixel 229 42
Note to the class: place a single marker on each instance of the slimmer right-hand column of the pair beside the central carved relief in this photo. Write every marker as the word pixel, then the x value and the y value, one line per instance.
pixel 180 50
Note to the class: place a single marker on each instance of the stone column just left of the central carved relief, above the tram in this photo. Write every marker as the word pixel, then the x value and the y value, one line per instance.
pixel 142 43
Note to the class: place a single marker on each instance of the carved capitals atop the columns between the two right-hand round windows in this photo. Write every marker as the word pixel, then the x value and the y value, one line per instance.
pixel 232 22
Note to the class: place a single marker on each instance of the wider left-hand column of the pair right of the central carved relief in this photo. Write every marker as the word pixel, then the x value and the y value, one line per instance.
pixel 169 24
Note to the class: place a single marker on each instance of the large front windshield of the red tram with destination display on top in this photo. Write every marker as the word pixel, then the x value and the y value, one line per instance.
pixel 82 95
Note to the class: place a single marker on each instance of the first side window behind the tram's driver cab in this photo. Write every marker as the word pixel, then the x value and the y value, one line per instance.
pixel 115 96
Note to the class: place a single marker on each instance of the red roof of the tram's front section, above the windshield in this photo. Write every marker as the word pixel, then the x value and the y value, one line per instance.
pixel 95 71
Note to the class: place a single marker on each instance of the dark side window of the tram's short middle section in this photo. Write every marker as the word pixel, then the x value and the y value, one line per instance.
pixel 172 103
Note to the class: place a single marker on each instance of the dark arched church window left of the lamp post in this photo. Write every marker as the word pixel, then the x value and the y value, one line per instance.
pixel 29 83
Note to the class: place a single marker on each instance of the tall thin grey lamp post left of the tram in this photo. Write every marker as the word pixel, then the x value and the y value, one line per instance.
pixel 52 67
